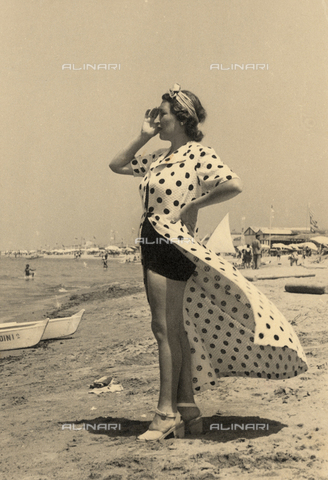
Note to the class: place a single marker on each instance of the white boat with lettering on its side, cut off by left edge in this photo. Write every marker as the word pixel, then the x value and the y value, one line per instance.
pixel 21 335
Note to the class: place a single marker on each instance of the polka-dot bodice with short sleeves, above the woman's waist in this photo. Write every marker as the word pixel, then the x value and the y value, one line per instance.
pixel 172 182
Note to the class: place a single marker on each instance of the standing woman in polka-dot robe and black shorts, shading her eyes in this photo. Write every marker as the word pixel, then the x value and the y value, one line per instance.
pixel 182 277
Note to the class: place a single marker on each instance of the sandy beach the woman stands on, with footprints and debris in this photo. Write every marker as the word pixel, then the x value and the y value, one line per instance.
pixel 54 428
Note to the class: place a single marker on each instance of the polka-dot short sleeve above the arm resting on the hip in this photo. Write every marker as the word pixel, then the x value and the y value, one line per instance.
pixel 211 171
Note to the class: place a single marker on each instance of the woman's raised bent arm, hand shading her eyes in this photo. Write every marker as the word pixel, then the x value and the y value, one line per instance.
pixel 121 162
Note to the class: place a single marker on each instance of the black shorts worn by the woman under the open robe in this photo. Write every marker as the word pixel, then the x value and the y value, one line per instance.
pixel 162 256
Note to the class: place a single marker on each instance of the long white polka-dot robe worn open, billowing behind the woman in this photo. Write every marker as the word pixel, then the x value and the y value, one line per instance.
pixel 233 329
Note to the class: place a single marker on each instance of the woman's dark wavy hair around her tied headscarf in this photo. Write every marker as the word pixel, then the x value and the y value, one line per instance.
pixel 190 122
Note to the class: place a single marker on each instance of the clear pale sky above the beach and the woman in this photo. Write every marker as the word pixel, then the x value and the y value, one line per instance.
pixel 61 127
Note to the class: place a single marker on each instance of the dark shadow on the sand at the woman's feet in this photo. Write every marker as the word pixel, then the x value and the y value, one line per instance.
pixel 217 428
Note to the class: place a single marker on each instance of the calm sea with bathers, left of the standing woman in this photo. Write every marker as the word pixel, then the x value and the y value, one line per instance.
pixel 54 279
